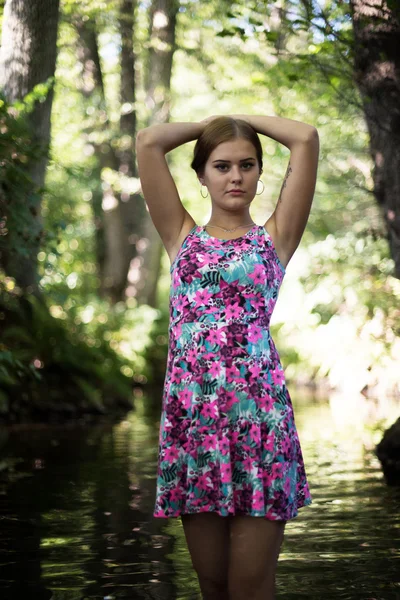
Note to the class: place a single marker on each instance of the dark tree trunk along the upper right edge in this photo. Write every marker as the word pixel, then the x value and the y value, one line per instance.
pixel 377 74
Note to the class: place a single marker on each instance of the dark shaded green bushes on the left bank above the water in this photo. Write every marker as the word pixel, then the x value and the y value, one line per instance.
pixel 46 369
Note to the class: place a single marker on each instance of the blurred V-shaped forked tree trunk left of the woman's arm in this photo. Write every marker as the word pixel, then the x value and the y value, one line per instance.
pixel 119 211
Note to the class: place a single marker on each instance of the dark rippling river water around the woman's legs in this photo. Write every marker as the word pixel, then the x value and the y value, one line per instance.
pixel 76 511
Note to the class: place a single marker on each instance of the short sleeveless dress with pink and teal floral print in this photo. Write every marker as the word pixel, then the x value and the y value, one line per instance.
pixel 228 441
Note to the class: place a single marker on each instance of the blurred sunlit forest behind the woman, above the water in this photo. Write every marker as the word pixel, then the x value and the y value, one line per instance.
pixel 84 278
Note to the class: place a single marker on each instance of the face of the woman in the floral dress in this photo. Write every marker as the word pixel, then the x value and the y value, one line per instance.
pixel 232 165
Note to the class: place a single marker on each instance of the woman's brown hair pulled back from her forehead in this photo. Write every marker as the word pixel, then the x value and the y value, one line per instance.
pixel 219 130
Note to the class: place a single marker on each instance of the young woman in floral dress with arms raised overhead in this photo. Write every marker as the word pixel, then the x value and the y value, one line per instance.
pixel 230 461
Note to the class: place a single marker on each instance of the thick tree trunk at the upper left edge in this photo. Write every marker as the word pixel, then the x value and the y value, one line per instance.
pixel 27 58
